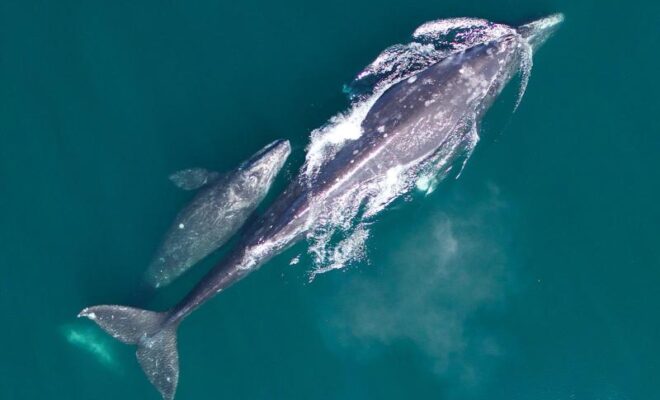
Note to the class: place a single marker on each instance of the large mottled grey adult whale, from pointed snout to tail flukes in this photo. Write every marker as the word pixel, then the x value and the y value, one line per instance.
pixel 409 124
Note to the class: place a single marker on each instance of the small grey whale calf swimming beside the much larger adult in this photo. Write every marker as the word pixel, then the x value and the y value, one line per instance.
pixel 223 204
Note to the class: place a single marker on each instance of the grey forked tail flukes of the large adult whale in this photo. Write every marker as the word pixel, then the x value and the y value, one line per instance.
pixel 156 342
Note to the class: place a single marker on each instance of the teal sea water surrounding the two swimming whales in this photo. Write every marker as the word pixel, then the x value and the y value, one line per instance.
pixel 533 276
